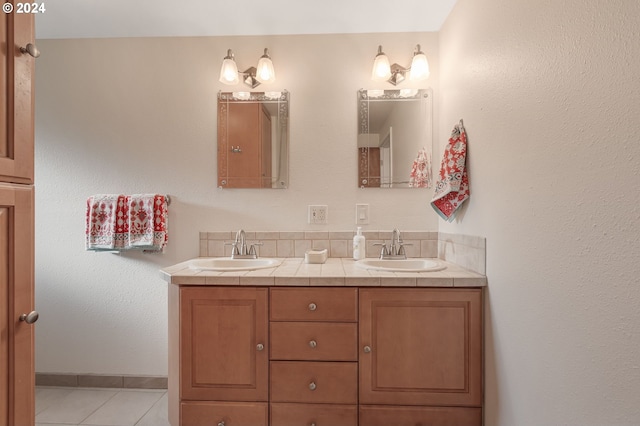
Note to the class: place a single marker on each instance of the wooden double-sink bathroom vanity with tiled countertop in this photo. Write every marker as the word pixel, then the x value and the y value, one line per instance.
pixel 327 344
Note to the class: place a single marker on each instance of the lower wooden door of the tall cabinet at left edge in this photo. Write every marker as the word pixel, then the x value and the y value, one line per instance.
pixel 17 379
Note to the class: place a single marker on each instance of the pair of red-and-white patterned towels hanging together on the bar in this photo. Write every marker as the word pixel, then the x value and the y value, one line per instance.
pixel 123 222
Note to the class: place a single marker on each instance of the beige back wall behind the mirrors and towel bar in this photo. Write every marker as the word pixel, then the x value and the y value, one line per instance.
pixel 139 115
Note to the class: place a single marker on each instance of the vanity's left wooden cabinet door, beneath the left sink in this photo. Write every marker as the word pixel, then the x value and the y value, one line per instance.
pixel 223 344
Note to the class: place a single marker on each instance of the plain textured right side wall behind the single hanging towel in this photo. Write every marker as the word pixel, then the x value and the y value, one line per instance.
pixel 550 98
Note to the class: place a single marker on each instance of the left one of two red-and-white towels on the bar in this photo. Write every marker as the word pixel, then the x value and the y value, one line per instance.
pixel 105 222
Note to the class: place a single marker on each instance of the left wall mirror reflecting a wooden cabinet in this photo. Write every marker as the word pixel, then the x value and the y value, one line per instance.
pixel 253 139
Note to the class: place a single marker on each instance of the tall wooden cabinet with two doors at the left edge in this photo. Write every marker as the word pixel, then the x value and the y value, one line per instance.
pixel 17 379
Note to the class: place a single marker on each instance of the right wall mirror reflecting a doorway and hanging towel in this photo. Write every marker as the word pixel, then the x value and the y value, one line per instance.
pixel 394 138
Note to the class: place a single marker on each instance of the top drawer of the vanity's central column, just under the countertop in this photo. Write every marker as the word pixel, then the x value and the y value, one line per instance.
pixel 314 304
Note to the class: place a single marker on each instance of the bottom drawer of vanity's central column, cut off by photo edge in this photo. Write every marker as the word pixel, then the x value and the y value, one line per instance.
pixel 316 414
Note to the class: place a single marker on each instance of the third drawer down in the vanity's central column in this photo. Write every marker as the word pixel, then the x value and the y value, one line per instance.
pixel 314 382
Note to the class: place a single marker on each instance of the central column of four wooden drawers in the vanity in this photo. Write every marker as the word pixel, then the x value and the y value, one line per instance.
pixel 314 370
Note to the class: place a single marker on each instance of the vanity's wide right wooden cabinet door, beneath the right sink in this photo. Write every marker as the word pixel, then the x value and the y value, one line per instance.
pixel 421 347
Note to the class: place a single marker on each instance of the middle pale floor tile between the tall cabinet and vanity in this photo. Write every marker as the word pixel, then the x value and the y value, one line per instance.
pixel 75 406
